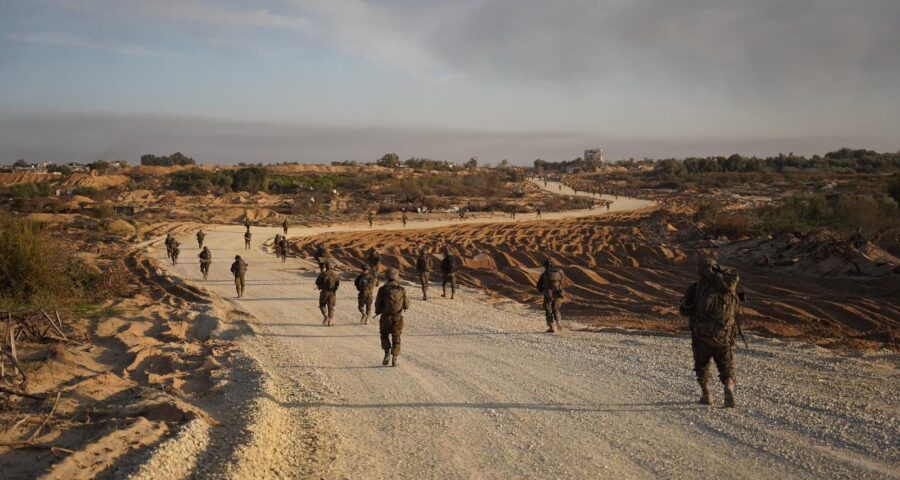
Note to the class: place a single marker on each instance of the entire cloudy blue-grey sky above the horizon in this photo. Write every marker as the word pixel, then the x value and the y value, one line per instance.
pixel 316 81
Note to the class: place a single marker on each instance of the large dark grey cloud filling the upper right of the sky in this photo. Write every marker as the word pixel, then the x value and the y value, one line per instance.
pixel 762 46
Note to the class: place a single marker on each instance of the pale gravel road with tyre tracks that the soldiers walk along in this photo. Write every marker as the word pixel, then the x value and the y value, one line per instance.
pixel 482 394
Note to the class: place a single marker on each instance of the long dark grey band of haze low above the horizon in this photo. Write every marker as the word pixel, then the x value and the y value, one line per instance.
pixel 84 138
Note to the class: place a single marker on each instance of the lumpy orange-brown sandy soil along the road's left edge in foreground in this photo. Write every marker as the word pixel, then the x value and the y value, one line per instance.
pixel 146 365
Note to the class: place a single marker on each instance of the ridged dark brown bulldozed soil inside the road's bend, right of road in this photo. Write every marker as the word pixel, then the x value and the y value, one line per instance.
pixel 629 270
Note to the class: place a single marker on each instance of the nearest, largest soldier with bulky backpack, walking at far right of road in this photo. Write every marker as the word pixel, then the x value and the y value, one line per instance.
pixel 711 305
